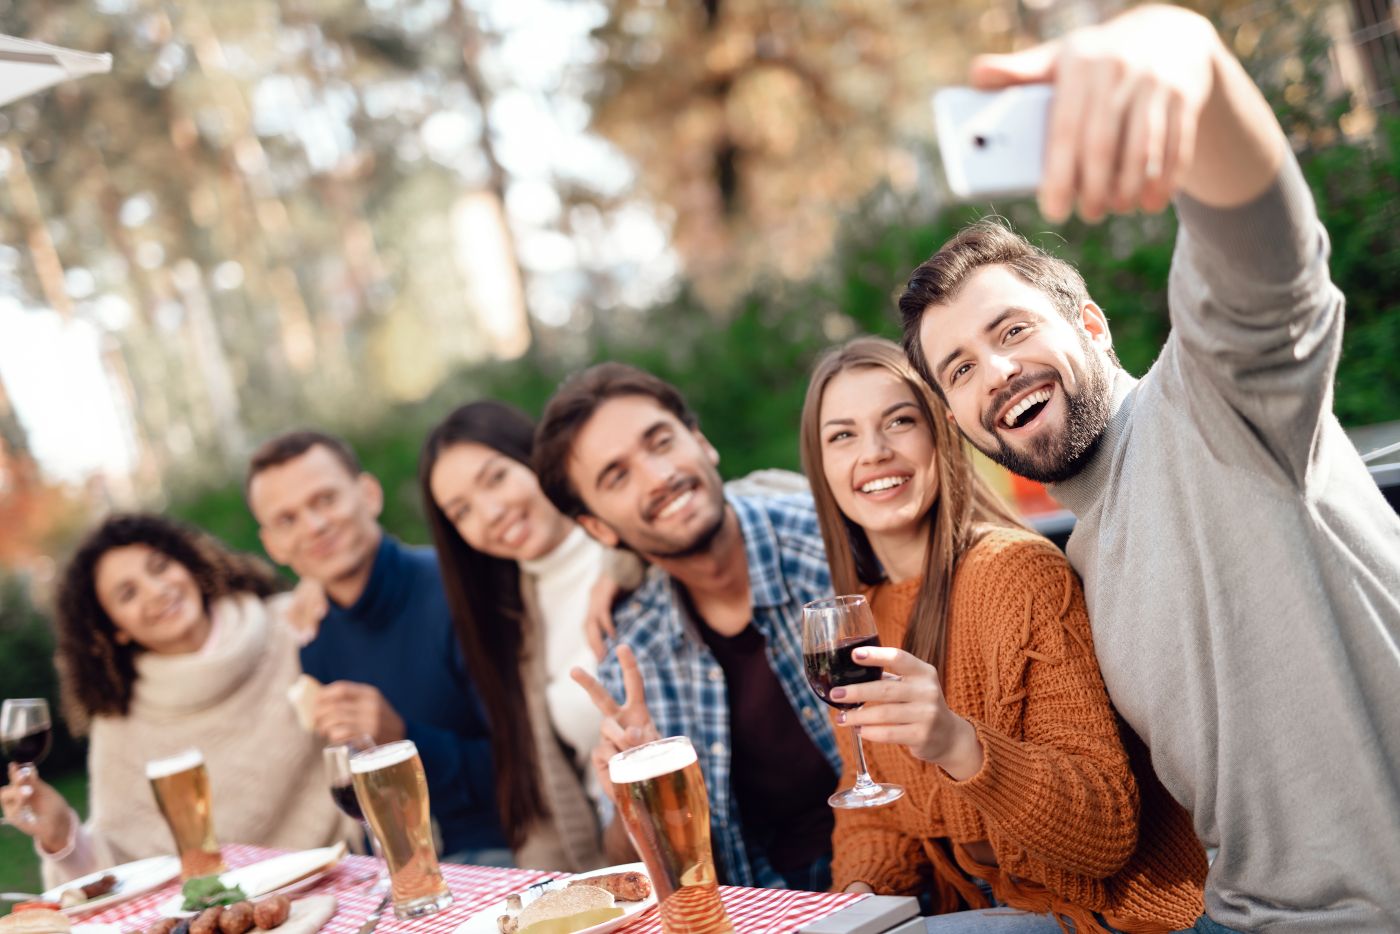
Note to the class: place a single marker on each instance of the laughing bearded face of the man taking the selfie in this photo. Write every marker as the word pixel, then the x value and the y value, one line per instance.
pixel 1027 386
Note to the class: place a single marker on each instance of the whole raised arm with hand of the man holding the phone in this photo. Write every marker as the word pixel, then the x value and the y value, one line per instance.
pixel 1151 107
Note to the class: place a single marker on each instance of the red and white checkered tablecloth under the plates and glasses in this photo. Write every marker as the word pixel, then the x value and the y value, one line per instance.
pixel 477 888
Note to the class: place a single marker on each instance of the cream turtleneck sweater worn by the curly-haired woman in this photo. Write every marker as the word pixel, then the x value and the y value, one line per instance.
pixel 229 701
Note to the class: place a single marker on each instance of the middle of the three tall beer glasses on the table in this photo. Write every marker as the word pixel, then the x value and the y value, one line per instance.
pixel 394 796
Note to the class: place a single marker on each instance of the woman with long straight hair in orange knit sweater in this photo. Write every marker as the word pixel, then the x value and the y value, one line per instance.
pixel 1020 789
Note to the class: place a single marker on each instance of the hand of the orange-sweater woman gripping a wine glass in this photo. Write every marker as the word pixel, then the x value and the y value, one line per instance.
pixel 911 711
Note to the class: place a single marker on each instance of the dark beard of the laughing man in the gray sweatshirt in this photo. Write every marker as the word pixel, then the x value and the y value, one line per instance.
pixel 1056 457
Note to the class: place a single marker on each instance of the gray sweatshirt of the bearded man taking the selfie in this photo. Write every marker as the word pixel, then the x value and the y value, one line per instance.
pixel 1242 573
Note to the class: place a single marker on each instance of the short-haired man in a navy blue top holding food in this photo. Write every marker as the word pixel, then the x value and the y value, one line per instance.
pixel 386 646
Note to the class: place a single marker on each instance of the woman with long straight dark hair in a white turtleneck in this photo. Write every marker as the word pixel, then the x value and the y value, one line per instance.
pixel 519 578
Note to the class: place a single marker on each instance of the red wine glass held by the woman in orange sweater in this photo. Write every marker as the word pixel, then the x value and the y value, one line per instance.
pixel 832 631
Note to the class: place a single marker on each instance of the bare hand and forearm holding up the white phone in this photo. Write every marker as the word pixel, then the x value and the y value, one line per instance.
pixel 1146 106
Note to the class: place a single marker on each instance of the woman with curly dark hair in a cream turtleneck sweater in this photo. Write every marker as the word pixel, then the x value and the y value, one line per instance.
pixel 167 642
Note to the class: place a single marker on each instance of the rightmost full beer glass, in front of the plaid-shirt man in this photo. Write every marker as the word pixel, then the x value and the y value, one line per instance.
pixel 663 803
